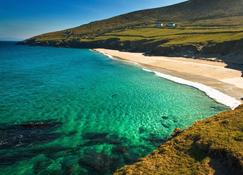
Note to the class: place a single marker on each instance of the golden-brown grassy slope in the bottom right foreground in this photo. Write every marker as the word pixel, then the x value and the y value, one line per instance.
pixel 214 145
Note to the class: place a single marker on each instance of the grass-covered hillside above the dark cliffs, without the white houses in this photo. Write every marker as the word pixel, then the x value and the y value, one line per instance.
pixel 199 22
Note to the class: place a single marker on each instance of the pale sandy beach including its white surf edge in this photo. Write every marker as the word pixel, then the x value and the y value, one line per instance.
pixel 218 82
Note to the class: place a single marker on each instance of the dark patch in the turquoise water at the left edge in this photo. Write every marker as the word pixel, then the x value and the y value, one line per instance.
pixel 15 137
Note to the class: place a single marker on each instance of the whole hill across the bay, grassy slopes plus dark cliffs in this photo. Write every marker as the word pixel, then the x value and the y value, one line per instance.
pixel 205 28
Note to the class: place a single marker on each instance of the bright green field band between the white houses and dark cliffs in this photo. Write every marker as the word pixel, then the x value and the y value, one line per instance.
pixel 178 36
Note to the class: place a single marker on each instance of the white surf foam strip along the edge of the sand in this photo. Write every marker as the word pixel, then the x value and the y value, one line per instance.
pixel 212 93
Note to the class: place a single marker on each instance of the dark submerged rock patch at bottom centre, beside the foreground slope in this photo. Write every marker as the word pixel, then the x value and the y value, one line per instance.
pixel 122 152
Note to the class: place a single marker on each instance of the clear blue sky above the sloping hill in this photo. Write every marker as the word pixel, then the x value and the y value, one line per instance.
pixel 21 19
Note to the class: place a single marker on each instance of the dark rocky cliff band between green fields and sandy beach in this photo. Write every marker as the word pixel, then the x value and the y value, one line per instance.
pixel 229 52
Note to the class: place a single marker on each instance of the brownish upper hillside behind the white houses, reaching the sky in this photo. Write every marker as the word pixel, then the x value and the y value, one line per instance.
pixel 192 12
